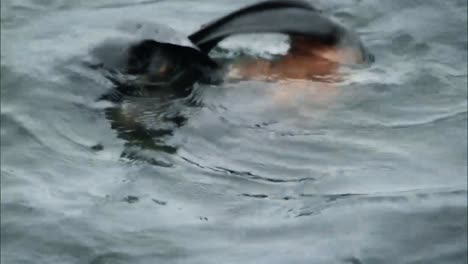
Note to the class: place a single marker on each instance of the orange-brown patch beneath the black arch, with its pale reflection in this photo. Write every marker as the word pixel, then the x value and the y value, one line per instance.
pixel 309 70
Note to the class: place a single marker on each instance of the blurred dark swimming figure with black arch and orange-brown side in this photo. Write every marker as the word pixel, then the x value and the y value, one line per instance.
pixel 158 58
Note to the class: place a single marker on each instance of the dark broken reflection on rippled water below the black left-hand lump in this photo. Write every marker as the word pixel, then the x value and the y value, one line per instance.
pixel 146 124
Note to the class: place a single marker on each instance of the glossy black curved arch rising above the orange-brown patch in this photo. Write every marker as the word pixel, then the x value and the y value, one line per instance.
pixel 278 16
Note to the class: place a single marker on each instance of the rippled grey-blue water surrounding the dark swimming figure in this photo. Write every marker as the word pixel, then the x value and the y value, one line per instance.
pixel 374 174
